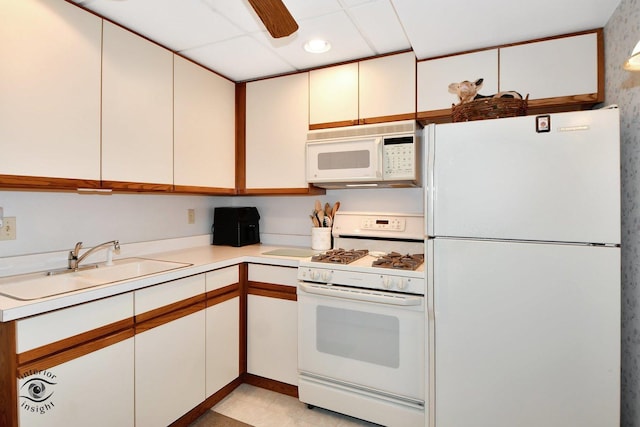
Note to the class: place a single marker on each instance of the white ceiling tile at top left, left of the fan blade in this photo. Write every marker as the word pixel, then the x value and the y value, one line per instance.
pixel 175 24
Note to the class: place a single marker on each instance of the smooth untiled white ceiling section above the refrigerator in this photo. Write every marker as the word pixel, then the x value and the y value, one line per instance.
pixel 441 27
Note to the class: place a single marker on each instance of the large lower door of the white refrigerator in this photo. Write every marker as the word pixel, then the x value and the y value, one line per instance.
pixel 526 334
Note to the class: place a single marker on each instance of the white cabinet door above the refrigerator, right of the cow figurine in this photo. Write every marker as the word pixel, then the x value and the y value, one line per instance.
pixel 560 67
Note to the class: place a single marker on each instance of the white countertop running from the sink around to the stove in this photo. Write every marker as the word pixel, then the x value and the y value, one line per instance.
pixel 202 258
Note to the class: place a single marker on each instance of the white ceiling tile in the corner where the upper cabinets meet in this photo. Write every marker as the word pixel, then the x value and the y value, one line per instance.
pixel 239 59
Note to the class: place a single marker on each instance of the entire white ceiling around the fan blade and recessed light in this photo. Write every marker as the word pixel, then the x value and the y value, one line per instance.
pixel 228 37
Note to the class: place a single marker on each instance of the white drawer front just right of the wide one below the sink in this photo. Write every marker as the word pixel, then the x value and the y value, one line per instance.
pixel 158 296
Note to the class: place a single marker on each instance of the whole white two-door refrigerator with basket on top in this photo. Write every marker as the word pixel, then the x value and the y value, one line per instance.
pixel 523 271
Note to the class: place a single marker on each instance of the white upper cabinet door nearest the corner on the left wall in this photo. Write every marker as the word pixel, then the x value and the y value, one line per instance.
pixel 204 114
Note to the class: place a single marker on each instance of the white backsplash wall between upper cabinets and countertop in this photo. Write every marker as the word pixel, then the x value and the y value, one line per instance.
pixel 51 221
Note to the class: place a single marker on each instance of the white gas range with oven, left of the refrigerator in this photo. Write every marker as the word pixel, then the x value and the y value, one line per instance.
pixel 362 320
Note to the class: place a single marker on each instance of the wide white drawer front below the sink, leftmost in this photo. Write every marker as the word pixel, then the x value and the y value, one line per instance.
pixel 46 328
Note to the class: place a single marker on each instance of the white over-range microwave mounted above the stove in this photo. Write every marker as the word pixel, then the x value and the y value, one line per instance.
pixel 375 155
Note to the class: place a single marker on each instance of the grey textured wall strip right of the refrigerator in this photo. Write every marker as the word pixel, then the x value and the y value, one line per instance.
pixel 621 34
